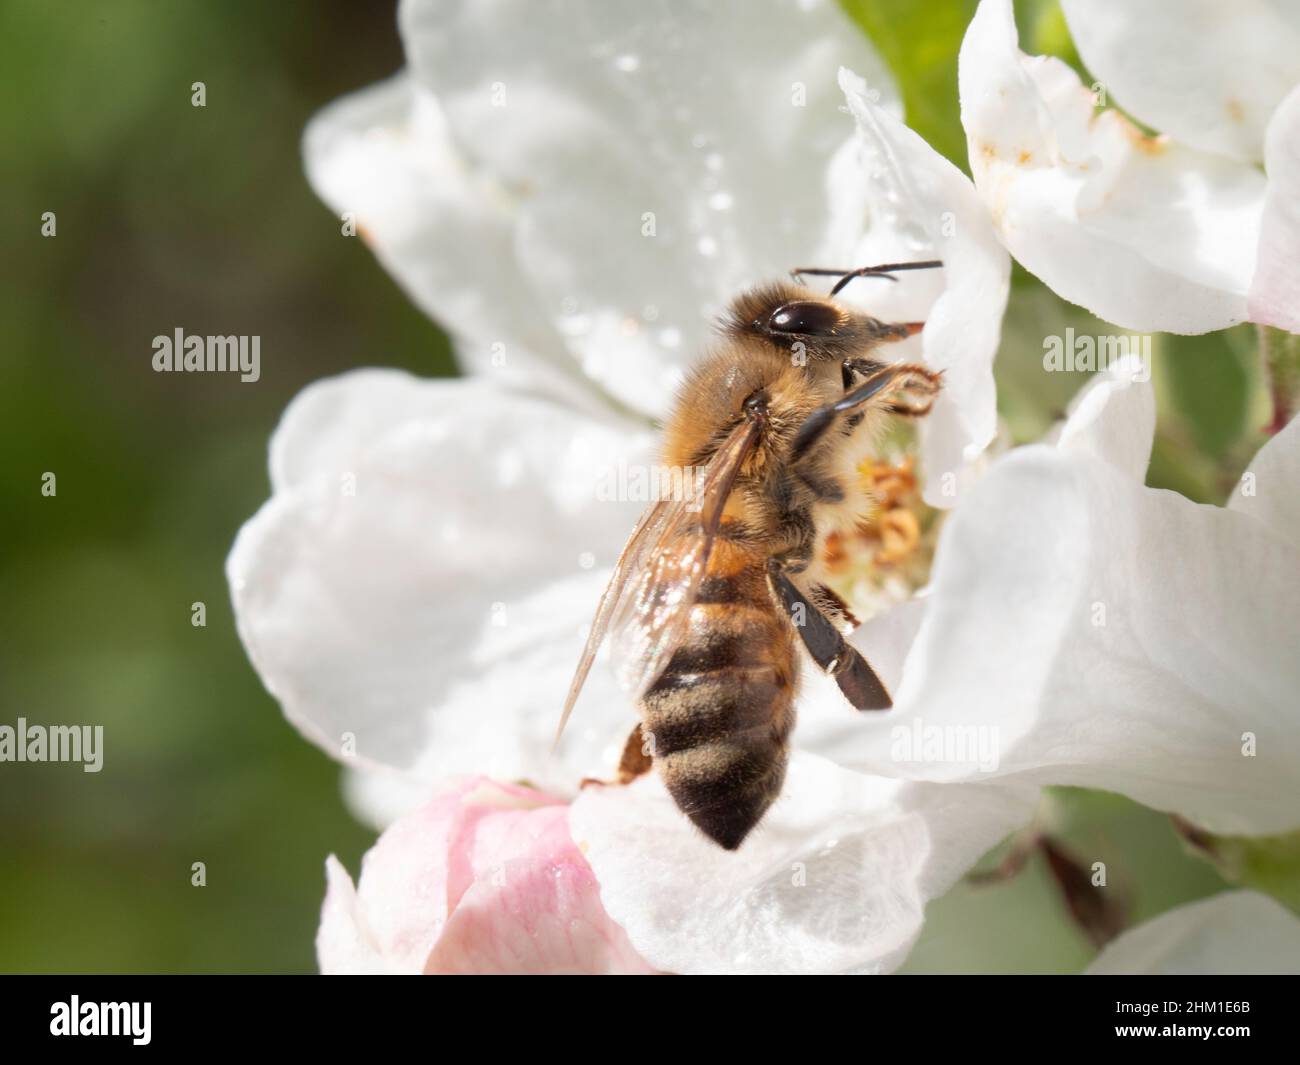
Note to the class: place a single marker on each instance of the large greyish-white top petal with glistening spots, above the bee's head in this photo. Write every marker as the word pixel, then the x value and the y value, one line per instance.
pixel 599 116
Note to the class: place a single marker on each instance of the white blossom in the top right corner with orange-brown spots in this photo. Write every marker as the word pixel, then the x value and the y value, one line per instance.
pixel 1151 233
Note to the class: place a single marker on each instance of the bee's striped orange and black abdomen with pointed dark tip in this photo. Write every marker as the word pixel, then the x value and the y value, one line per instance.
pixel 722 712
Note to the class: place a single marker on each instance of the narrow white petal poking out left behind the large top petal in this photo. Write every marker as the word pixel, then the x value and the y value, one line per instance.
pixel 445 230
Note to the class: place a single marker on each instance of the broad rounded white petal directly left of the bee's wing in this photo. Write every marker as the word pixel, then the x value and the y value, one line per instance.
pixel 449 581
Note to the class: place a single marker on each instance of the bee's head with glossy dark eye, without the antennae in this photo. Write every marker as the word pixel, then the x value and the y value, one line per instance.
pixel 799 321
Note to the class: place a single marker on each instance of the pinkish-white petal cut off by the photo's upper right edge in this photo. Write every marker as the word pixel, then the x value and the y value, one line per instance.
pixel 1276 291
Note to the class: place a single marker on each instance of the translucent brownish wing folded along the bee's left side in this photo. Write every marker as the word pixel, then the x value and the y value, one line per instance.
pixel 656 581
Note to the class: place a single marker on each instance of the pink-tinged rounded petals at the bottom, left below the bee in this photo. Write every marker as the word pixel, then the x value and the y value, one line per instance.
pixel 484 878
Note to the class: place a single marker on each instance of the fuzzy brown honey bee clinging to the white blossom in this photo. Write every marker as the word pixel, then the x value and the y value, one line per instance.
pixel 716 588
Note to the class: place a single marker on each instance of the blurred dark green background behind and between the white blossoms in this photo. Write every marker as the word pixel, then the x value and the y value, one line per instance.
pixel 170 217
